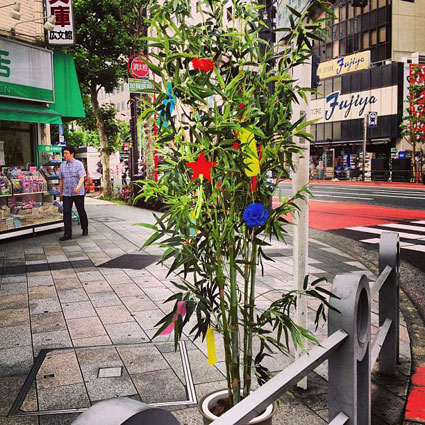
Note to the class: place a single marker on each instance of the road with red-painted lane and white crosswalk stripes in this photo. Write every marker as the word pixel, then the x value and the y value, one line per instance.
pixel 362 213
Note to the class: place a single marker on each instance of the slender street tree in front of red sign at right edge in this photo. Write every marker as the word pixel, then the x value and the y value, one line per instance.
pixel 413 121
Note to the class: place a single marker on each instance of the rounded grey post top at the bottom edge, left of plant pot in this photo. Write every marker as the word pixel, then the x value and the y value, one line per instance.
pixel 125 411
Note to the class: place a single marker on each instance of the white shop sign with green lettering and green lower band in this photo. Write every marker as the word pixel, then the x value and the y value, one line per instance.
pixel 26 72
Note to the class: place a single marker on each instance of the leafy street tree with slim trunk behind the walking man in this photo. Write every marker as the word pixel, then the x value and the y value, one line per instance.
pixel 107 31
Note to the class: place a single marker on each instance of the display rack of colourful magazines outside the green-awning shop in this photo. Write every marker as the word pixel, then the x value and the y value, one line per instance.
pixel 26 206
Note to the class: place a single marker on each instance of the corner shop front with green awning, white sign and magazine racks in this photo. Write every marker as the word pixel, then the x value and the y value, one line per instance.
pixel 37 87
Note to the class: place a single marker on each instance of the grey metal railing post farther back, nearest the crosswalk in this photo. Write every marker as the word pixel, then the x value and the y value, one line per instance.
pixel 389 301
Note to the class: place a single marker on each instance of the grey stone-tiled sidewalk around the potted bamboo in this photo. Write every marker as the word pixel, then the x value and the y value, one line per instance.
pixel 90 325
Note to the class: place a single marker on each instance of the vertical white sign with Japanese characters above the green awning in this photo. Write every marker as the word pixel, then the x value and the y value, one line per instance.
pixel 63 34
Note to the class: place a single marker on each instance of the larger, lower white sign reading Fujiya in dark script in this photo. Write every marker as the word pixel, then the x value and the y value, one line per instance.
pixel 337 107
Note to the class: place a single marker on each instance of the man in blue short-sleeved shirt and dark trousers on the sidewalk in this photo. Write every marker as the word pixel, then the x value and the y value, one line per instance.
pixel 71 188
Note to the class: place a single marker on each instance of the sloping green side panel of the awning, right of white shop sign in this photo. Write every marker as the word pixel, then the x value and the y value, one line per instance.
pixel 68 100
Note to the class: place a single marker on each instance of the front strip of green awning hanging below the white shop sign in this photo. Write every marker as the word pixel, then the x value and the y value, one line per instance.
pixel 14 110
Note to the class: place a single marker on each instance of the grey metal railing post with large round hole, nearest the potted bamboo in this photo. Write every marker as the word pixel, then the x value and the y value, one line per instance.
pixel 349 367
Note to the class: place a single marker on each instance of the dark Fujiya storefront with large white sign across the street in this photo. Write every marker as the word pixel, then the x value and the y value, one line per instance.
pixel 340 109
